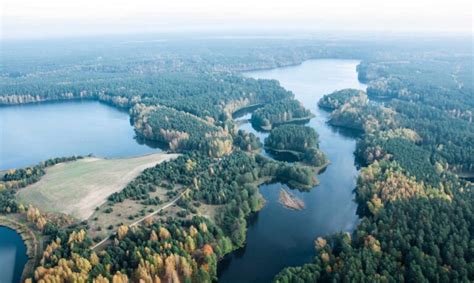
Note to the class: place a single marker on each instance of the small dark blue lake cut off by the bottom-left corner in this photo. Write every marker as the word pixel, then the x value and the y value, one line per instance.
pixel 12 255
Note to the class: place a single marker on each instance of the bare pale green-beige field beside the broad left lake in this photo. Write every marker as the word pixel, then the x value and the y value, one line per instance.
pixel 77 188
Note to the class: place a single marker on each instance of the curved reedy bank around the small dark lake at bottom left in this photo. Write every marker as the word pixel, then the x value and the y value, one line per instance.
pixel 33 245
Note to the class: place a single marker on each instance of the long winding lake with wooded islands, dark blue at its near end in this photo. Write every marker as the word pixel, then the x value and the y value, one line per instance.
pixel 278 237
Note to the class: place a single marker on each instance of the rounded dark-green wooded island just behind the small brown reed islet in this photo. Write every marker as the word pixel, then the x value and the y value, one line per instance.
pixel 301 142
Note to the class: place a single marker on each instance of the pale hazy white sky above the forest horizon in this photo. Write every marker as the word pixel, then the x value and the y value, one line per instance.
pixel 58 18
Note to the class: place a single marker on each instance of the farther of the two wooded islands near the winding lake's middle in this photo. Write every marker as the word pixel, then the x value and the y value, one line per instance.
pixel 279 113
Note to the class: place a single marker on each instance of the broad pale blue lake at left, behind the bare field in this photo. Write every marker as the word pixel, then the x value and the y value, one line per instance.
pixel 35 132
